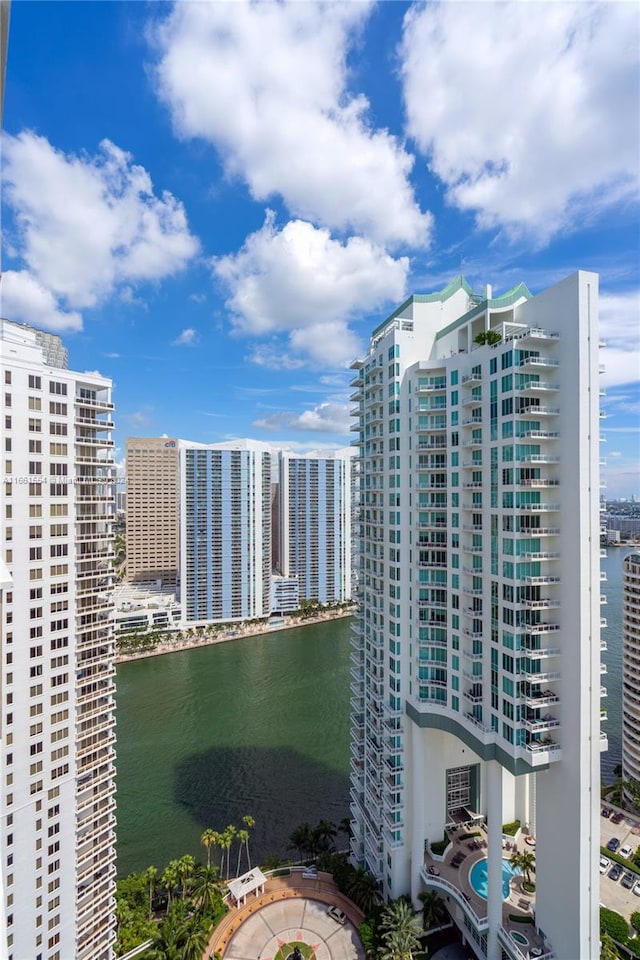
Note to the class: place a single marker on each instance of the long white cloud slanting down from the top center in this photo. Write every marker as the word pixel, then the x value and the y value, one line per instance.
pixel 266 84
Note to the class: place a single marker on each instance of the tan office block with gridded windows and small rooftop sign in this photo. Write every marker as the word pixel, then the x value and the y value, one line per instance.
pixel 153 512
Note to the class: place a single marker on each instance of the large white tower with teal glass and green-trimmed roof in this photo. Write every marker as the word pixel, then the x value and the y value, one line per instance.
pixel 476 696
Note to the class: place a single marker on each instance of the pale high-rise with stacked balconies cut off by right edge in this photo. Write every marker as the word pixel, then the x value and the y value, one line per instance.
pixel 631 670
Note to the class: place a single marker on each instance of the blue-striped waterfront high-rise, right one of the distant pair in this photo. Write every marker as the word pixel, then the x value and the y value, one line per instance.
pixel 315 525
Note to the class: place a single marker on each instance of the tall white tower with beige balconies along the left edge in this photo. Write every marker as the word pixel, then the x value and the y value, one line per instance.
pixel 57 725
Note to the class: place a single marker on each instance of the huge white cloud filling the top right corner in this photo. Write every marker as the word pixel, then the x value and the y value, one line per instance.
pixel 528 112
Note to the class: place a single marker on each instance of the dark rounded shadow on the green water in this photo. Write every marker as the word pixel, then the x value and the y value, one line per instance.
pixel 279 787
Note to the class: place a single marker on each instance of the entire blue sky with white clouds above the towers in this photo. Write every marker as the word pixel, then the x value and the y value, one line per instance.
pixel 214 203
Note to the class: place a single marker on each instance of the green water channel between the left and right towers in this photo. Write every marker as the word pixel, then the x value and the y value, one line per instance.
pixel 259 726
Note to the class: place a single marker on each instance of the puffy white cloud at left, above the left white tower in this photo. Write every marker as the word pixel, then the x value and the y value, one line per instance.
pixel 87 225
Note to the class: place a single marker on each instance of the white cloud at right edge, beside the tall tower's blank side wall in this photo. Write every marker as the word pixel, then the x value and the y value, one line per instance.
pixel 620 330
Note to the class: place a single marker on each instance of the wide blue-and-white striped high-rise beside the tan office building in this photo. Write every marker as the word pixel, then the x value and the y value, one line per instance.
pixel 225 553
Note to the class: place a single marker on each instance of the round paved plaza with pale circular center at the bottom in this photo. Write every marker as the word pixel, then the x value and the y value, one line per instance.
pixel 291 909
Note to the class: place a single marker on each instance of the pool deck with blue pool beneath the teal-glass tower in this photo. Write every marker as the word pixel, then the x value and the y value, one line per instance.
pixel 518 903
